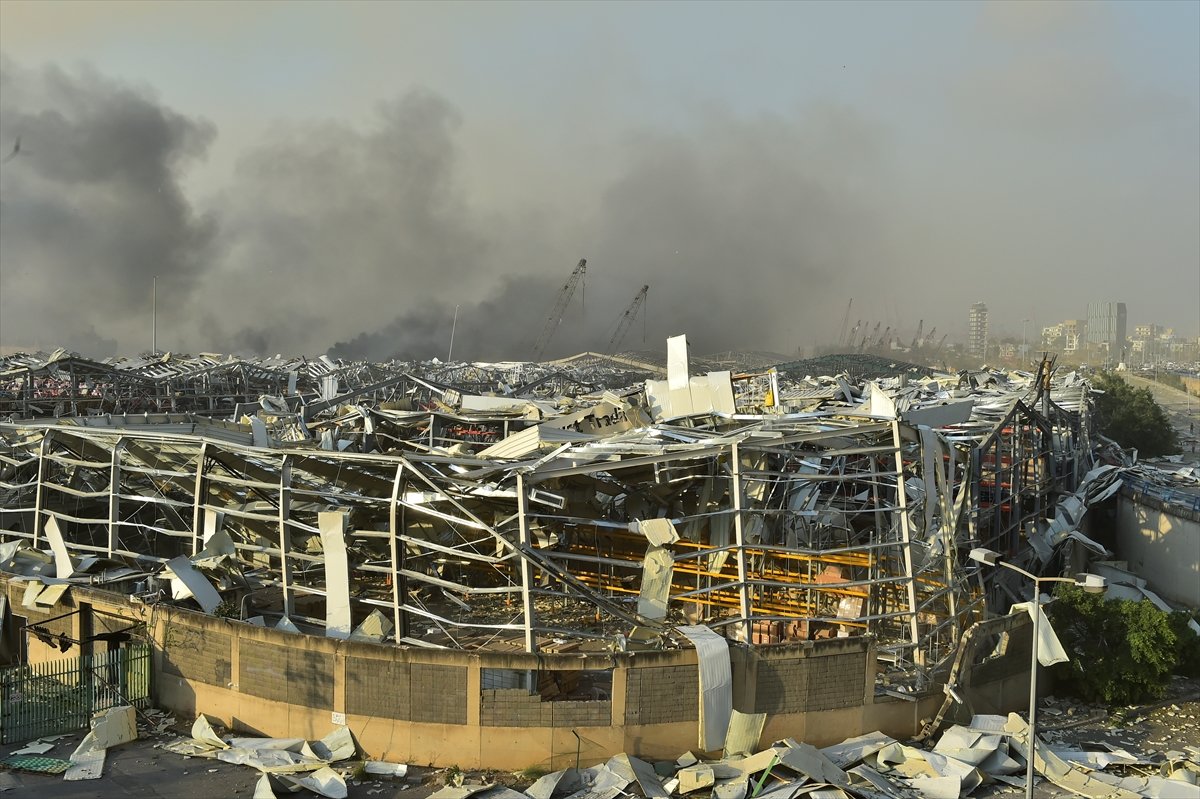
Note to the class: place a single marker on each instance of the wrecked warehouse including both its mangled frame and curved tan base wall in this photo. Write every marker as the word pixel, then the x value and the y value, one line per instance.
pixel 537 549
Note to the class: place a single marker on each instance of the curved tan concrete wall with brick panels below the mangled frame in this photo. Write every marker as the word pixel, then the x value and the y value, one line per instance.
pixel 442 707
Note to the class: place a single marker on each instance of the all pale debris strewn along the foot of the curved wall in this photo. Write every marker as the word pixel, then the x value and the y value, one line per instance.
pixel 985 759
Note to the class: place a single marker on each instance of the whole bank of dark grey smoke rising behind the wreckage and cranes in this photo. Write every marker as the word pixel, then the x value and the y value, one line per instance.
pixel 363 241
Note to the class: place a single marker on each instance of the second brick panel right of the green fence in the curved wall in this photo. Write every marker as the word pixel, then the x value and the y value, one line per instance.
pixel 286 675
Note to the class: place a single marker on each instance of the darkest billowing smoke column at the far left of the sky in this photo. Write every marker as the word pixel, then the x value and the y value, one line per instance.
pixel 92 209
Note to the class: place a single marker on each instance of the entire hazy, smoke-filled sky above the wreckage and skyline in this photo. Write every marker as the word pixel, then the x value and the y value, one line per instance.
pixel 309 176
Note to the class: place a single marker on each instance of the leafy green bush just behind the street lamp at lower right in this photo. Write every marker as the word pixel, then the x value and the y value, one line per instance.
pixel 1121 652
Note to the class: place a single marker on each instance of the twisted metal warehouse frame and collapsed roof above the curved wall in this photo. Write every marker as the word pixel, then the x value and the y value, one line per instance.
pixel 428 514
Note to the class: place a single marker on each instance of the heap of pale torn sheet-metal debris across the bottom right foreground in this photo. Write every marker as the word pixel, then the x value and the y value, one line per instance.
pixel 965 761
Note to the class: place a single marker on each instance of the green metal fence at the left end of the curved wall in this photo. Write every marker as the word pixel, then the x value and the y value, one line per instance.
pixel 62 695
